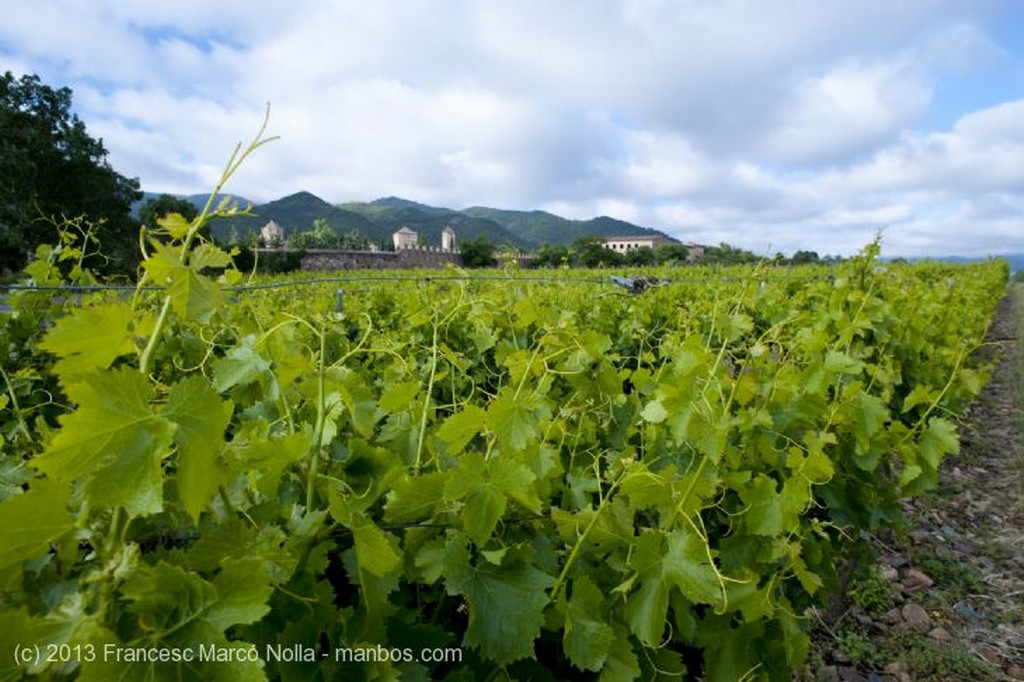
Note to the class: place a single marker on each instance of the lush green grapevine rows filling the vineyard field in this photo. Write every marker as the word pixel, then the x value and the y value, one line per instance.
pixel 542 478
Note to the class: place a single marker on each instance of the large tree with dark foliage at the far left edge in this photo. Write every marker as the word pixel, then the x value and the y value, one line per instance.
pixel 51 168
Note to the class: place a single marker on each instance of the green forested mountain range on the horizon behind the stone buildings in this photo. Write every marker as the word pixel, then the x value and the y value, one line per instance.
pixel 376 221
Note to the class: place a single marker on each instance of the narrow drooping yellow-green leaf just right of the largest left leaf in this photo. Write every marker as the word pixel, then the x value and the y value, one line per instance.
pixel 195 407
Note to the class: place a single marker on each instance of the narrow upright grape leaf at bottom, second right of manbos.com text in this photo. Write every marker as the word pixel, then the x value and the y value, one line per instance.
pixel 588 638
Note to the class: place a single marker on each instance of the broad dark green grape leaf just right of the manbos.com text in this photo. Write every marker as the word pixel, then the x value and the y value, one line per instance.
pixel 506 603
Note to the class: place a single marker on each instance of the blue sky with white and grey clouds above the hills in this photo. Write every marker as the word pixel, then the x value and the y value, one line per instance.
pixel 772 125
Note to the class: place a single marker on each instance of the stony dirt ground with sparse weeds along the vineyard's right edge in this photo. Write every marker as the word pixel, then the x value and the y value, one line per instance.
pixel 947 602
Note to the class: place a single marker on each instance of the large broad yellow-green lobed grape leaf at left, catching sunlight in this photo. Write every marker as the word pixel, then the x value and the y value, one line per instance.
pixel 114 442
